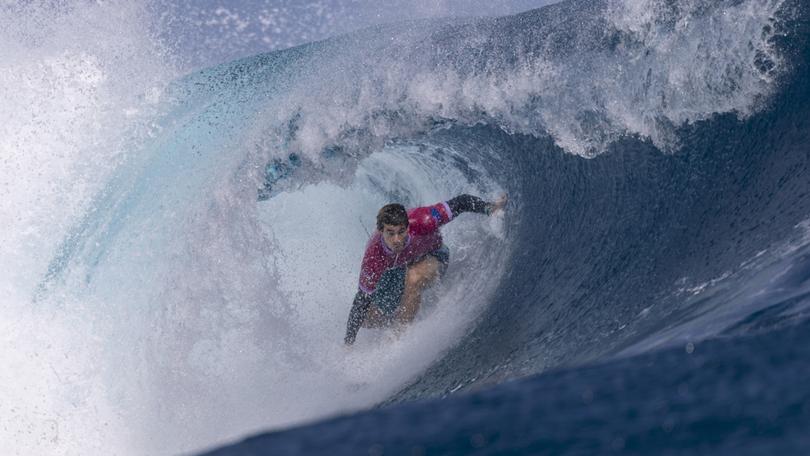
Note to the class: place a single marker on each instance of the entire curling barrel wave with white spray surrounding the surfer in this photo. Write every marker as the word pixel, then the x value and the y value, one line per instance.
pixel 654 153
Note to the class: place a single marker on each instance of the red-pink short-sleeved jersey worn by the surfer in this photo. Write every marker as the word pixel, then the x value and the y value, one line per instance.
pixel 423 238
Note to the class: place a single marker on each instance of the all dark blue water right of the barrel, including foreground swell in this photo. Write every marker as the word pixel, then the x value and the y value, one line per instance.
pixel 656 301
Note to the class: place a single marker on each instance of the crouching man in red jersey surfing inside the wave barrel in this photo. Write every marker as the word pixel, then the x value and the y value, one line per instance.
pixel 404 256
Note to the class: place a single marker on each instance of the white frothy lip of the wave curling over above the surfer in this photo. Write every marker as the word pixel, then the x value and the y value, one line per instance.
pixel 585 73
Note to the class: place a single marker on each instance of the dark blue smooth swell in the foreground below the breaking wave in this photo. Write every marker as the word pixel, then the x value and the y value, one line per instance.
pixel 732 395
